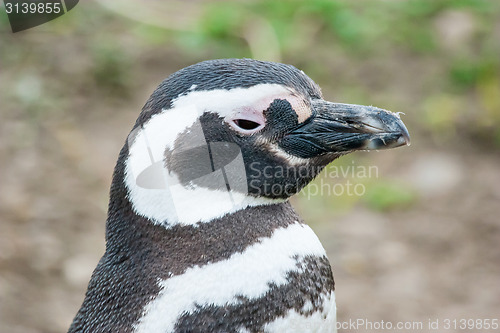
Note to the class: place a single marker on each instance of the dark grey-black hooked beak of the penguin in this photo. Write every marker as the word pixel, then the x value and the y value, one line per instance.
pixel 341 128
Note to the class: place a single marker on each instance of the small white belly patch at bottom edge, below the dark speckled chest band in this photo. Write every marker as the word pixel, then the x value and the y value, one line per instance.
pixel 295 322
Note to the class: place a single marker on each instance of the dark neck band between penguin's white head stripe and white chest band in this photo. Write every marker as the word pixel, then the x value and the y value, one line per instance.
pixel 173 249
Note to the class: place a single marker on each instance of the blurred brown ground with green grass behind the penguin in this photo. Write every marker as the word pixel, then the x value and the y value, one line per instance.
pixel 421 242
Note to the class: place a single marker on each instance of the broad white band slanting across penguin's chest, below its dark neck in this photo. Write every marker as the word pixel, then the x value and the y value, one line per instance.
pixel 248 274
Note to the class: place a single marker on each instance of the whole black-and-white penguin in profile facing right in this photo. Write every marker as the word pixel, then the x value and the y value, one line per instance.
pixel 200 235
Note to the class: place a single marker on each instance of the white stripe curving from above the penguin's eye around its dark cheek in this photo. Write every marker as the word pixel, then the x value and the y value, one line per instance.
pixel 166 201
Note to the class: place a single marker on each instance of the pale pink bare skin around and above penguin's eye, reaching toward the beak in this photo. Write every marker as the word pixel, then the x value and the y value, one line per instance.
pixel 250 119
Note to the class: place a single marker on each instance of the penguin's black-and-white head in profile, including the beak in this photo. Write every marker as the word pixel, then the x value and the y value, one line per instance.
pixel 222 135
